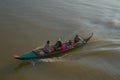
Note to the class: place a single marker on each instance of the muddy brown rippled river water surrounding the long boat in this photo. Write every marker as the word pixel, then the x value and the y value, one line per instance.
pixel 27 24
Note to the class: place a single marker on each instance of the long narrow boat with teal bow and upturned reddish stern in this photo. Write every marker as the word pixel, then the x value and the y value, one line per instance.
pixel 34 54
